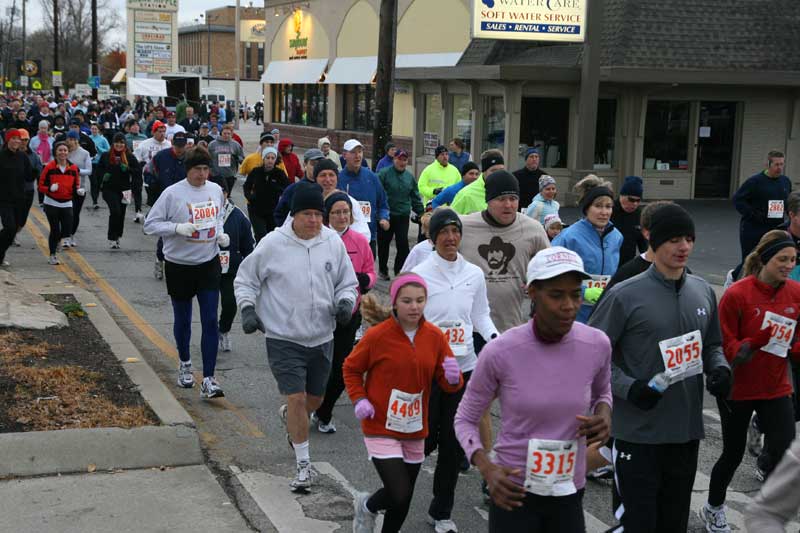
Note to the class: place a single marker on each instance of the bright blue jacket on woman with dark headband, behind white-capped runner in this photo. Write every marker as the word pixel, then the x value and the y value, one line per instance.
pixel 600 254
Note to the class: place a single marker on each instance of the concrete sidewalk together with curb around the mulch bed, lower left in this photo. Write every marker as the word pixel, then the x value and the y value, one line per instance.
pixel 151 478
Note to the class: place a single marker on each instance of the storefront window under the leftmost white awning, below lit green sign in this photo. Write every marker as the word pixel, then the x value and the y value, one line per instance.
pixel 305 105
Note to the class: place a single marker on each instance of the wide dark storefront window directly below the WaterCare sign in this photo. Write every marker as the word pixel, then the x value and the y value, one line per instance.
pixel 544 124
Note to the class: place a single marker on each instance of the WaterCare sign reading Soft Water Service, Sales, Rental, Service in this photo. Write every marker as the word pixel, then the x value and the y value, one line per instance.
pixel 529 20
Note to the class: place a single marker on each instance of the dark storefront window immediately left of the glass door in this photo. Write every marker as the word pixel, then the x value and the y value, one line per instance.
pixel 666 136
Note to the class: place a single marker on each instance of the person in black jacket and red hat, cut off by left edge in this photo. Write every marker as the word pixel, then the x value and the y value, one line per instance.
pixel 15 168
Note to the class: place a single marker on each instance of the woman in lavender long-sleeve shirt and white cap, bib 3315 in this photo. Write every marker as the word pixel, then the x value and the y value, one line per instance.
pixel 553 379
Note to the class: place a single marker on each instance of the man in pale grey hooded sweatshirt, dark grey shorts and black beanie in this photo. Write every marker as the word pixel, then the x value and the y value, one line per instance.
pixel 301 283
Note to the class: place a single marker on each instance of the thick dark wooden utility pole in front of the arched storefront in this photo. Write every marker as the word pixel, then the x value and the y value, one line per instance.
pixel 387 43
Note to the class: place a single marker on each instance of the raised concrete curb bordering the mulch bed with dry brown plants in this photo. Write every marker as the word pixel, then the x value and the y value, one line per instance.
pixel 175 443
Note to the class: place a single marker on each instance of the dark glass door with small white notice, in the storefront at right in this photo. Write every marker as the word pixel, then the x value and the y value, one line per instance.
pixel 715 136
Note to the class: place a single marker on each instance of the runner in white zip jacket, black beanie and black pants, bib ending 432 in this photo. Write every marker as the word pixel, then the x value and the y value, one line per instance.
pixel 458 304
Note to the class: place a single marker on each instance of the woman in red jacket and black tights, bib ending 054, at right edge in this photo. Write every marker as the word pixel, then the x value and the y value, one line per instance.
pixel 758 316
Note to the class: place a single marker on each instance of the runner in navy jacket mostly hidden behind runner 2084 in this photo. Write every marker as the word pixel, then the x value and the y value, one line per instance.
pixel 238 228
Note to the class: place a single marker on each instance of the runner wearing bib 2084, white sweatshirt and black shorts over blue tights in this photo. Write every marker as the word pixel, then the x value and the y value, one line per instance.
pixel 187 216
